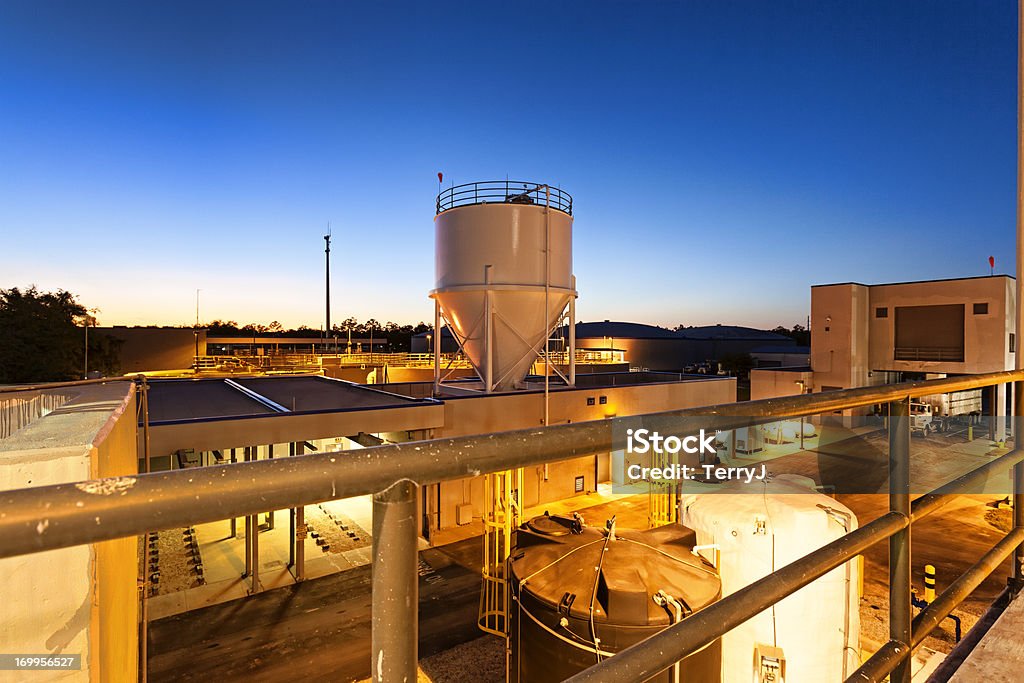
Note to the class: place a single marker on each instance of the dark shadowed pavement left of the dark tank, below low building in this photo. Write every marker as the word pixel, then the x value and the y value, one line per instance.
pixel 318 630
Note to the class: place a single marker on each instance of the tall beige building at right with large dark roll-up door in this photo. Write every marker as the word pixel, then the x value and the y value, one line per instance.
pixel 865 335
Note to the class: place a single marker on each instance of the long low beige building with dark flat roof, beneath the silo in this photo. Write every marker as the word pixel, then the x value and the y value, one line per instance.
pixel 206 421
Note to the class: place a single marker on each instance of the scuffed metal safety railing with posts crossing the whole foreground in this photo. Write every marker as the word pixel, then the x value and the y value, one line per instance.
pixel 59 517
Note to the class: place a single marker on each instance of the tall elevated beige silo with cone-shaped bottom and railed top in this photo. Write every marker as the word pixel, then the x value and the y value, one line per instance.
pixel 500 248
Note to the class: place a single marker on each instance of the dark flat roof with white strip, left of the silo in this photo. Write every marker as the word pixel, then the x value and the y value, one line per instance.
pixel 197 400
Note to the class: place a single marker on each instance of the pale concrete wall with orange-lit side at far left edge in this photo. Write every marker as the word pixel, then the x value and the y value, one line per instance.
pixel 79 601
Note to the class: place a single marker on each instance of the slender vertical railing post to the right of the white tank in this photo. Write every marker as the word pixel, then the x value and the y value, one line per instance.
pixel 900 544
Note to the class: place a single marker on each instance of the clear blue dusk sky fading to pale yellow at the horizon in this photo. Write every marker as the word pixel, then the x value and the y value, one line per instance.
pixel 723 156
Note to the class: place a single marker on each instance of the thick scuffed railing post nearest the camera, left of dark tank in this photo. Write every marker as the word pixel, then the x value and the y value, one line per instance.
pixel 396 585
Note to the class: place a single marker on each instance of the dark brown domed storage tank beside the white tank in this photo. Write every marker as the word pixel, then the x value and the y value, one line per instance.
pixel 554 586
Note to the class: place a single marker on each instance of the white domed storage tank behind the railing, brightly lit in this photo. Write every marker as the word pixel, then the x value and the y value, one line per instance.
pixel 758 530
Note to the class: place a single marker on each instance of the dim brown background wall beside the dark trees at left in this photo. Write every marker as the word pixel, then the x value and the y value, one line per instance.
pixel 156 349
